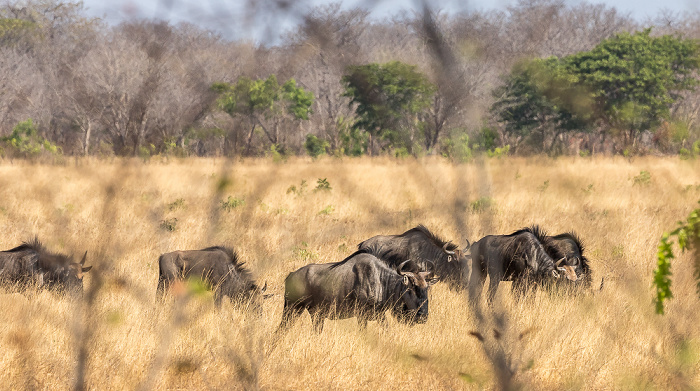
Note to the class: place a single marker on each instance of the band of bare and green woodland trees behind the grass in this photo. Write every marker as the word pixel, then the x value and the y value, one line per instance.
pixel 538 77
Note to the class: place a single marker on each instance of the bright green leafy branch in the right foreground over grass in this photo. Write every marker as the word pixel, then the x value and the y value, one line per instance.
pixel 688 234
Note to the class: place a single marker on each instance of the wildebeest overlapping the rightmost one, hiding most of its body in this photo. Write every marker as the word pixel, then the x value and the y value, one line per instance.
pixel 519 257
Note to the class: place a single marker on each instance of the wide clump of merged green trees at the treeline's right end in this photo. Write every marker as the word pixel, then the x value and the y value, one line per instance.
pixel 625 84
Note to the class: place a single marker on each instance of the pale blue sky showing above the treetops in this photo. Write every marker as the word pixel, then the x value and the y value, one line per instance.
pixel 234 18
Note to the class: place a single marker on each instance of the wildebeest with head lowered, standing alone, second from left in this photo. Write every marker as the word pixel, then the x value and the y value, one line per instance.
pixel 216 266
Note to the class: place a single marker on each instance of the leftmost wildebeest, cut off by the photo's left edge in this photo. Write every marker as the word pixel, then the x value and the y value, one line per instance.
pixel 30 263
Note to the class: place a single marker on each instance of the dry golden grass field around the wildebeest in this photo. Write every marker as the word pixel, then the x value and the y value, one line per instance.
pixel 119 212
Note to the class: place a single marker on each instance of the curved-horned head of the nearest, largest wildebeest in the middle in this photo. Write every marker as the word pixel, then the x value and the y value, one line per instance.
pixel 412 305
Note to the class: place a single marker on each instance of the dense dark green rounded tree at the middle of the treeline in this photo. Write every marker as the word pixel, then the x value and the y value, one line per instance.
pixel 388 98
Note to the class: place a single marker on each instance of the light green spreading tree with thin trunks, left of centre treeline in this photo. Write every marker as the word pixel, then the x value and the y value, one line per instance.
pixel 265 104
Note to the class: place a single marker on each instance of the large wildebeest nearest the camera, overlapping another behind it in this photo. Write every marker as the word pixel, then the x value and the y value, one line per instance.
pixel 360 286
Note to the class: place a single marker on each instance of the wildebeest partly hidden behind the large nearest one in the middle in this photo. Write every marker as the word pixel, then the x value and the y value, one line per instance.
pixel 420 245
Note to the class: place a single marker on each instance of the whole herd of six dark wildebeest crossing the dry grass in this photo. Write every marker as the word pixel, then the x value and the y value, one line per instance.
pixel 387 273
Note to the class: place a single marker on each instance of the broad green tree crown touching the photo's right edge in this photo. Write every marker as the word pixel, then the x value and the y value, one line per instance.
pixel 635 78
